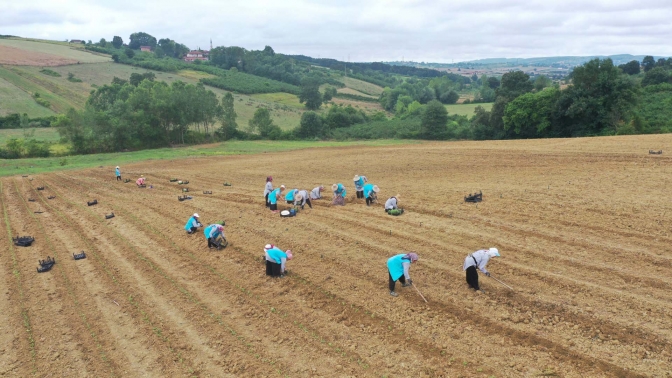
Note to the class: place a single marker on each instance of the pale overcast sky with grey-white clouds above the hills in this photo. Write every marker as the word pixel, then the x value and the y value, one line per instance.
pixel 385 30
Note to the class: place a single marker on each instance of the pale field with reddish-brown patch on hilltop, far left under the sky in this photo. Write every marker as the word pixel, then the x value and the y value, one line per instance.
pixel 44 54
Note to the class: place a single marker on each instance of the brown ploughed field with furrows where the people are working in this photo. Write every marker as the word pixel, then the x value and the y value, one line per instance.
pixel 583 226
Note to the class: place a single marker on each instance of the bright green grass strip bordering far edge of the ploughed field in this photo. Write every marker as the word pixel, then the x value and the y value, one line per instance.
pixel 39 165
